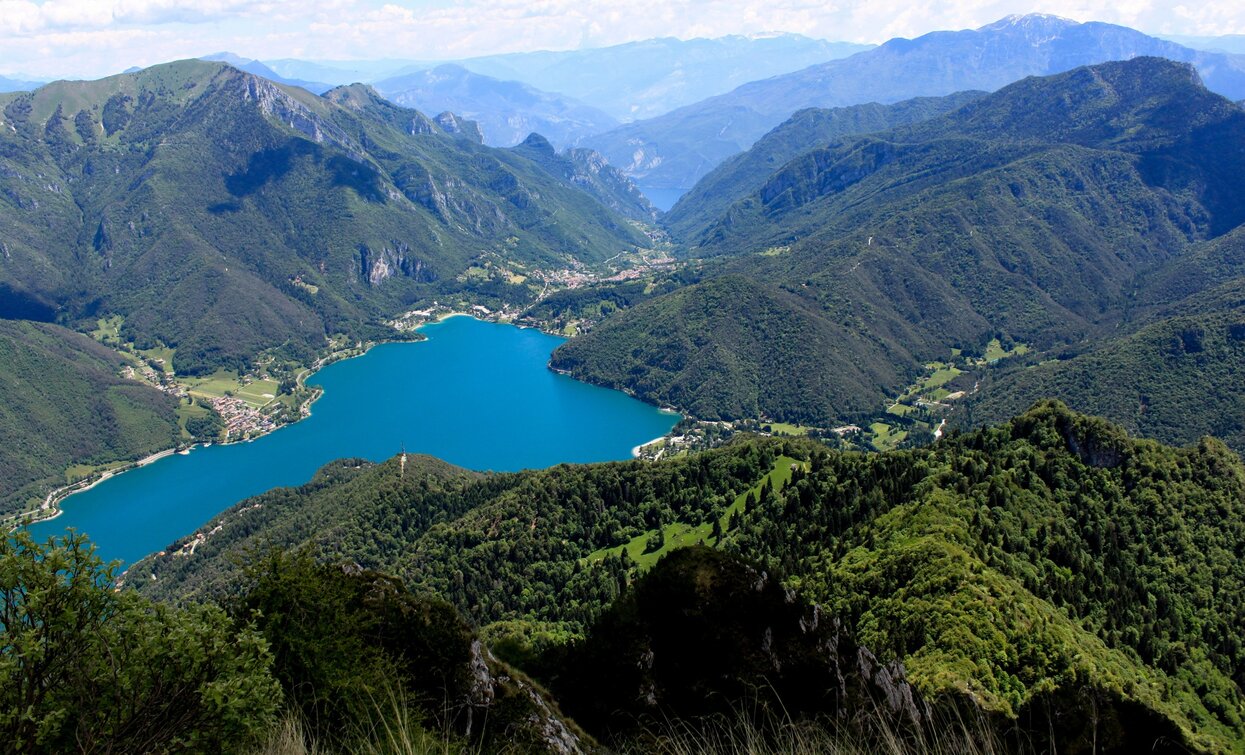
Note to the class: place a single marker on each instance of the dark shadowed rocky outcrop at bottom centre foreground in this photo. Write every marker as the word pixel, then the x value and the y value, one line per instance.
pixel 708 635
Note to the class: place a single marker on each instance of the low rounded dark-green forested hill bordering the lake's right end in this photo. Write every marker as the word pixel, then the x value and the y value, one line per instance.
pixel 731 348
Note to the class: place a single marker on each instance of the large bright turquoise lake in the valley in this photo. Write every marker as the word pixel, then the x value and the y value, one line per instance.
pixel 476 394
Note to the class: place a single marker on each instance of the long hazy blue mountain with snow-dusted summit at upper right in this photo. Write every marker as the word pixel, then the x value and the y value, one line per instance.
pixel 675 150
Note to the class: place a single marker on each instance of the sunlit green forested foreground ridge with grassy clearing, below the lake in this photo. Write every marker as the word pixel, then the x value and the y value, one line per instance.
pixel 1038 569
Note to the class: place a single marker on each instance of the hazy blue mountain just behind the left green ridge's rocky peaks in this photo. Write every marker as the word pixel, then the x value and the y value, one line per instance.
pixel 507 112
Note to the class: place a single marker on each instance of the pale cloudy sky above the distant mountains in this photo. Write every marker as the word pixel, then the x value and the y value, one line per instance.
pixel 94 38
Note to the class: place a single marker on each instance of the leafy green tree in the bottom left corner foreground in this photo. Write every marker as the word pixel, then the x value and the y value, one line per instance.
pixel 84 667
